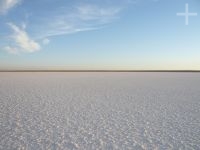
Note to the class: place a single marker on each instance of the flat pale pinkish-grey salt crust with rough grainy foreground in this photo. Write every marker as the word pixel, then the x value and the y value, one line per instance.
pixel 99 111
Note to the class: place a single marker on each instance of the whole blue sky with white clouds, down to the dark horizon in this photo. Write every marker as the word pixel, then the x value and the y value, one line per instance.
pixel 99 34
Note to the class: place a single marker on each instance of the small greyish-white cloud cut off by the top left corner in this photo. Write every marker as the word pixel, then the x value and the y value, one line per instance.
pixel 6 5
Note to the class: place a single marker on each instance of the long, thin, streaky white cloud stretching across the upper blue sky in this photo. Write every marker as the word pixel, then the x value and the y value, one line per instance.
pixel 81 18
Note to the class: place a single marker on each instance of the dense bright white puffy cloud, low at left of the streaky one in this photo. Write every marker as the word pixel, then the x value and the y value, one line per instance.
pixel 22 42
